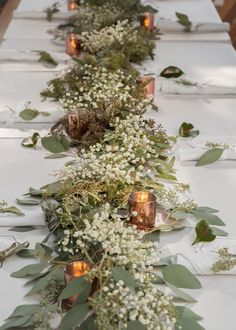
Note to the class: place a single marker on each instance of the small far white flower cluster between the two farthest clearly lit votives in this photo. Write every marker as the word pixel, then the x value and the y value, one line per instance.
pixel 119 33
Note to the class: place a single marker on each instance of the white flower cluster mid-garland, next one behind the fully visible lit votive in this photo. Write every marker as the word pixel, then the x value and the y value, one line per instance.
pixel 125 158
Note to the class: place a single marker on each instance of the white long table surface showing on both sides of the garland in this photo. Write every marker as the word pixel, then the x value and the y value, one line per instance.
pixel 214 185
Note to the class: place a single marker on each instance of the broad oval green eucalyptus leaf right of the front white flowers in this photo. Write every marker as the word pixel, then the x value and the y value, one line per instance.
pixel 180 277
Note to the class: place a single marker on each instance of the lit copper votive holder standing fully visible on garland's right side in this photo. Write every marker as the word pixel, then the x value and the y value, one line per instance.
pixel 142 209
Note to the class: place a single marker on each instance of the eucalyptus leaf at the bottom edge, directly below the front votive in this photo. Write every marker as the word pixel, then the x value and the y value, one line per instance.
pixel 74 317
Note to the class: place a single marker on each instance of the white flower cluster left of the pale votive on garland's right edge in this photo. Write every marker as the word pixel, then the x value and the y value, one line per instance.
pixel 97 87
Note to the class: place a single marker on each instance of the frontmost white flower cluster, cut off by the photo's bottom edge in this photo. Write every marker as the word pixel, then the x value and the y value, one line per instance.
pixel 148 306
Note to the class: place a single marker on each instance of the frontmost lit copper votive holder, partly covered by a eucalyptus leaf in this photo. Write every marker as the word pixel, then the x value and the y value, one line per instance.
pixel 74 270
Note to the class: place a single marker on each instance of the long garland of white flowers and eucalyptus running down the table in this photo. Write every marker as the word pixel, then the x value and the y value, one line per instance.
pixel 86 209
